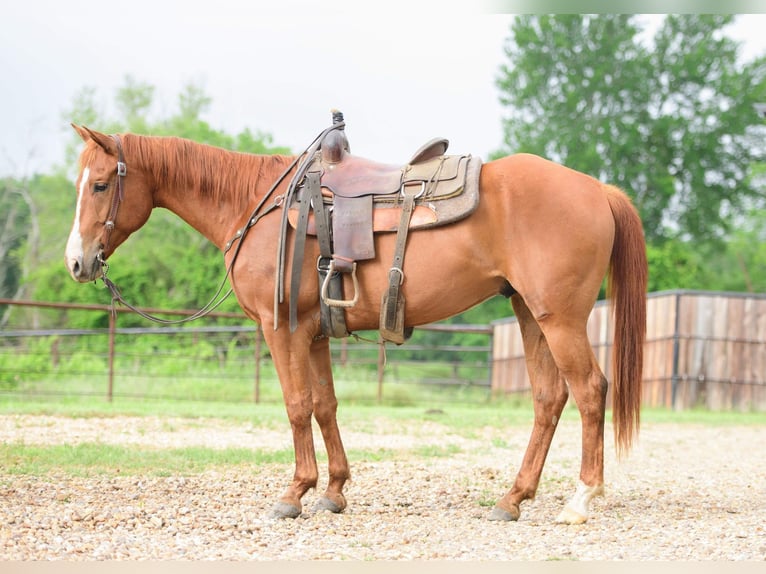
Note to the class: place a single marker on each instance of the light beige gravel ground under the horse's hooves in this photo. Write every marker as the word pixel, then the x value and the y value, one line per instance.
pixel 686 492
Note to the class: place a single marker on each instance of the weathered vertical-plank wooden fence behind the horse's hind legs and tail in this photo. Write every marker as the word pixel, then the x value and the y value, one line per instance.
pixel 702 349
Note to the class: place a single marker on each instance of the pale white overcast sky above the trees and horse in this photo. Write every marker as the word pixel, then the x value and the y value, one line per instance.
pixel 401 76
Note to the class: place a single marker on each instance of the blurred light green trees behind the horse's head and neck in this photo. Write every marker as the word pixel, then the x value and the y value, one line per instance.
pixel 167 264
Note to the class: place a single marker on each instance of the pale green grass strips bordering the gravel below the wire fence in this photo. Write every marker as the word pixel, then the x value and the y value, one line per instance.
pixel 97 459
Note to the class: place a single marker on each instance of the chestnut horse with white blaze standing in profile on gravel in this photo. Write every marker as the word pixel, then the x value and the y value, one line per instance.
pixel 543 235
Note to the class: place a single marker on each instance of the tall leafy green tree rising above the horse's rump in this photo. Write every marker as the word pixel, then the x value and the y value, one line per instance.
pixel 673 124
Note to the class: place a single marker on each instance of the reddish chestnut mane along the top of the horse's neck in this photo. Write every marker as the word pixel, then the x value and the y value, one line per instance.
pixel 214 172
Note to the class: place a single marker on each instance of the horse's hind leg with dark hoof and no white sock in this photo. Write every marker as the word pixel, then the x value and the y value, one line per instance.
pixel 550 394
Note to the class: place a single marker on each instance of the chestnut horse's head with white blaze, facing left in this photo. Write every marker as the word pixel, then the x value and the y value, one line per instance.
pixel 107 210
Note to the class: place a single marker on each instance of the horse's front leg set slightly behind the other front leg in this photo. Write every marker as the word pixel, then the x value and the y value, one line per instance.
pixel 325 410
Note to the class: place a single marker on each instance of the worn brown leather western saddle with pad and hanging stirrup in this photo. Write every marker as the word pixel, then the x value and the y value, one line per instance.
pixel 344 200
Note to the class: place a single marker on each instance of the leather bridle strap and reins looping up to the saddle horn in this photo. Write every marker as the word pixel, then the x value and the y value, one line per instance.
pixel 239 236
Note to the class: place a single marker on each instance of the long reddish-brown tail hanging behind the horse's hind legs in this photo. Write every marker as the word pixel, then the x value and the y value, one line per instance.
pixel 626 287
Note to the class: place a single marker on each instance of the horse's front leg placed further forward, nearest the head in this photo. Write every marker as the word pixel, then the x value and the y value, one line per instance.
pixel 290 353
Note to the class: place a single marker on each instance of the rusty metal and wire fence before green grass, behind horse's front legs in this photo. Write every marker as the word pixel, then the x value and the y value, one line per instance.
pixel 210 361
